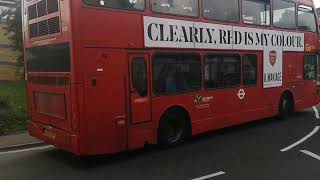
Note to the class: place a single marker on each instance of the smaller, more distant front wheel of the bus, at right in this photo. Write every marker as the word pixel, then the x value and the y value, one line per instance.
pixel 286 106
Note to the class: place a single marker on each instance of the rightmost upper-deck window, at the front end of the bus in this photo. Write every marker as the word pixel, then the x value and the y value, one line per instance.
pixel 306 19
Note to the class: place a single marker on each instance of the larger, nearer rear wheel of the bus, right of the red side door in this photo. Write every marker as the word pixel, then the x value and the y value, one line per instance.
pixel 172 129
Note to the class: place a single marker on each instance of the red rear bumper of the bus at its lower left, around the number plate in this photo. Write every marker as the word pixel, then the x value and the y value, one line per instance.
pixel 62 140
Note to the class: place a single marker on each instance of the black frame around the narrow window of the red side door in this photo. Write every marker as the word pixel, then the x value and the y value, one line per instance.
pixel 145 90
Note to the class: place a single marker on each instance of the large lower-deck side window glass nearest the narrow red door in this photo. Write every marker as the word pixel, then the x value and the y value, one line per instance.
pixel 176 73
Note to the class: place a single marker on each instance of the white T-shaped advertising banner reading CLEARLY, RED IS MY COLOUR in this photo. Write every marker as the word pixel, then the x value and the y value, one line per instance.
pixel 168 33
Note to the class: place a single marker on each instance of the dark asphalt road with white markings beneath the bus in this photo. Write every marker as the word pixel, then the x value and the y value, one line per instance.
pixel 246 152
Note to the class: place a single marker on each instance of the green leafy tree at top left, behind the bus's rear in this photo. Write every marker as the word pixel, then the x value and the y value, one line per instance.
pixel 13 29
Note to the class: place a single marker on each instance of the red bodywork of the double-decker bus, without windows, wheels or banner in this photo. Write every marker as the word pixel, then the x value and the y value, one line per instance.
pixel 93 110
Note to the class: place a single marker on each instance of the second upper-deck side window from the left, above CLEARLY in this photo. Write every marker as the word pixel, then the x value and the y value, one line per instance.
pixel 176 7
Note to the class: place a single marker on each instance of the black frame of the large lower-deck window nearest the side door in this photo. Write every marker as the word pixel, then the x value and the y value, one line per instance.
pixel 180 55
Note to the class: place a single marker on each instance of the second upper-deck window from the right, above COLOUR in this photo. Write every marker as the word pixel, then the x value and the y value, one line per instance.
pixel 284 14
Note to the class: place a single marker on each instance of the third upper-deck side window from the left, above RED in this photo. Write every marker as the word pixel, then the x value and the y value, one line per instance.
pixel 221 10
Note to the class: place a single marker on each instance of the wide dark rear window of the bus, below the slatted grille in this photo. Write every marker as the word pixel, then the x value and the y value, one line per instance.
pixel 53 58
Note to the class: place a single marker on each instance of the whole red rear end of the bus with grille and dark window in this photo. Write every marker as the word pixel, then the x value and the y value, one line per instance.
pixel 48 59
